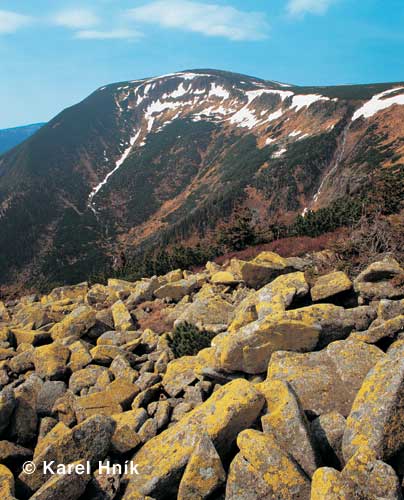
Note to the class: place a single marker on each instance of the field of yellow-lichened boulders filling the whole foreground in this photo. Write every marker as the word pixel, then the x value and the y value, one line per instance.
pixel 299 396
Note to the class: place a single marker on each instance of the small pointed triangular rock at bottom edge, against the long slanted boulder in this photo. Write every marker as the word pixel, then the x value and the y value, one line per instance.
pixel 204 472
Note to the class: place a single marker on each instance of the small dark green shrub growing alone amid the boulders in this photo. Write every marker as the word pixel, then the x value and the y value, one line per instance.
pixel 188 340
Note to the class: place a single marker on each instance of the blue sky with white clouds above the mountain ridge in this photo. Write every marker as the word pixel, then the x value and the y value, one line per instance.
pixel 53 53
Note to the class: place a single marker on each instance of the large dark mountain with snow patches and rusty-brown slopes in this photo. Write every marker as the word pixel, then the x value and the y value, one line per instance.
pixel 162 160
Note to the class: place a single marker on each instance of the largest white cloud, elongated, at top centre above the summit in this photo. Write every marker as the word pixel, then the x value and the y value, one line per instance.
pixel 205 18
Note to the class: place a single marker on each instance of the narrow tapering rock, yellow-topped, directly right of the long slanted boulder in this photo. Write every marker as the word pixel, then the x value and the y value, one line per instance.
pixel 287 423
